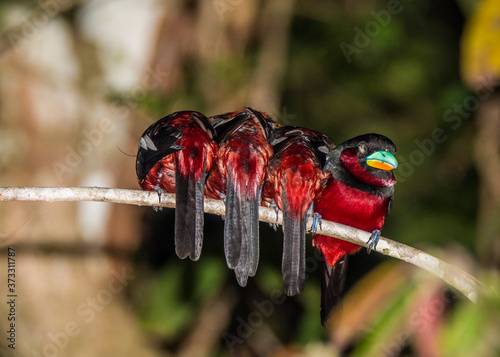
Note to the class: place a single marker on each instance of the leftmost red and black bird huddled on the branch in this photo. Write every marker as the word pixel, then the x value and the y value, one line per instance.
pixel 175 154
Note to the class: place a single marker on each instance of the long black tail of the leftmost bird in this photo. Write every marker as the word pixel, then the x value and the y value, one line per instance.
pixel 189 217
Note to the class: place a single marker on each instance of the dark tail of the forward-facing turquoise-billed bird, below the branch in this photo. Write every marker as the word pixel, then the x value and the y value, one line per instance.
pixel 332 286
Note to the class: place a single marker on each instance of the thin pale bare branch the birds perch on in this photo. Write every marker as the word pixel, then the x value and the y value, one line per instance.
pixel 463 282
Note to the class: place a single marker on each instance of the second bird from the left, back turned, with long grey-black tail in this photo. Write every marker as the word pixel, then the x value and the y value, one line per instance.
pixel 243 156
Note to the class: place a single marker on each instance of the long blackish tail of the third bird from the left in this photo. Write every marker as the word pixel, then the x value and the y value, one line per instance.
pixel 293 266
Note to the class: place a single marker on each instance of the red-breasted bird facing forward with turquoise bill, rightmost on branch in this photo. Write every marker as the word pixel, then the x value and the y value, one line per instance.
pixel 359 194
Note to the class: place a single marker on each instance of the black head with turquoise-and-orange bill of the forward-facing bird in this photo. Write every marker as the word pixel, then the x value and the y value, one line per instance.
pixel 368 158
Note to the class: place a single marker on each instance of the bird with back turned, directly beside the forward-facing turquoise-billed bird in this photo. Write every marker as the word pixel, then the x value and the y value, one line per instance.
pixel 295 178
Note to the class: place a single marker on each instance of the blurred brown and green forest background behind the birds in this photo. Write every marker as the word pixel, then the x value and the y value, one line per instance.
pixel 81 80
